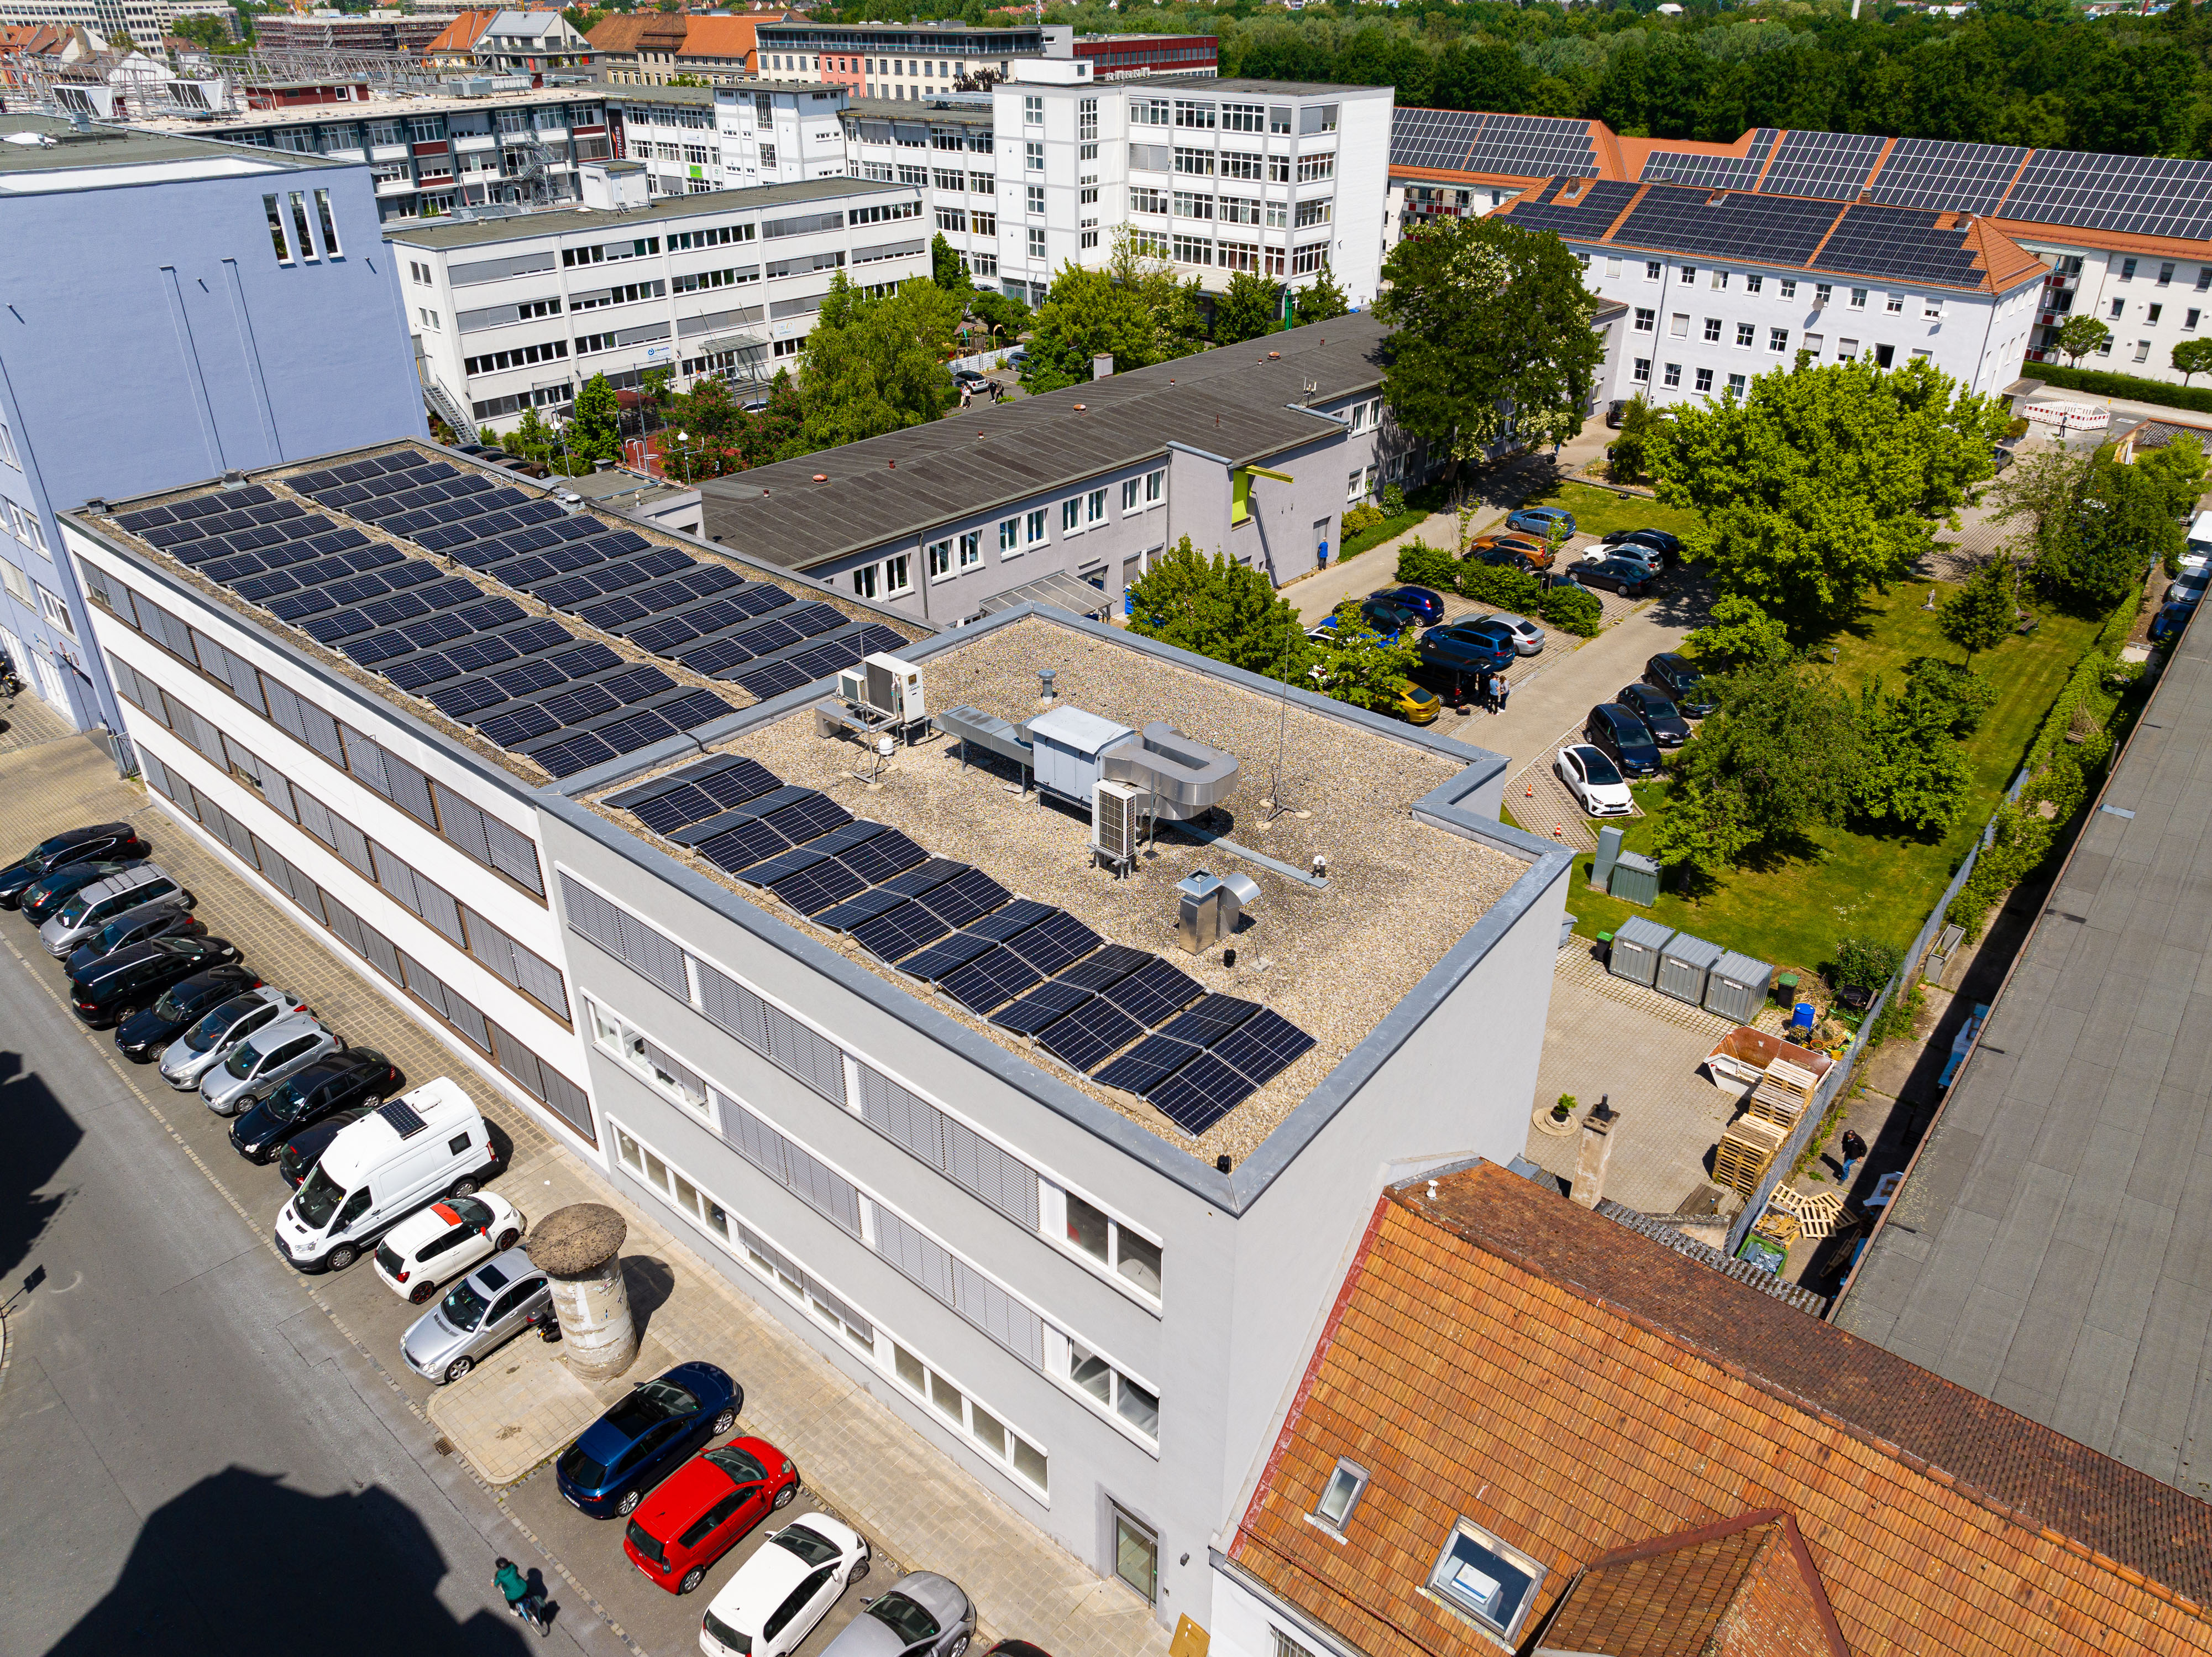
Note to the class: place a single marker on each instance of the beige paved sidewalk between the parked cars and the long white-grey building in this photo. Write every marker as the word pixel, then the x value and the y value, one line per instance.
pixel 857 1455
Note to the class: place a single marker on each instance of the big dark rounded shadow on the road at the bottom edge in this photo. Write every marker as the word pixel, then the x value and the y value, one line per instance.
pixel 240 1563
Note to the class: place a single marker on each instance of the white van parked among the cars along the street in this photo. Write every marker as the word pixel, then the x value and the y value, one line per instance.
pixel 408 1154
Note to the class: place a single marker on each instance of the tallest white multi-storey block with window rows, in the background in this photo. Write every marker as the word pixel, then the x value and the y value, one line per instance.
pixel 1273 178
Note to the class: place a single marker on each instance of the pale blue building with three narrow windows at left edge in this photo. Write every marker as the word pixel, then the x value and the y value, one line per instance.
pixel 187 331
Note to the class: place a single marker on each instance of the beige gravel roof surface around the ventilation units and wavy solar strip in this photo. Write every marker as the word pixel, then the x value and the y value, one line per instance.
pixel 1335 963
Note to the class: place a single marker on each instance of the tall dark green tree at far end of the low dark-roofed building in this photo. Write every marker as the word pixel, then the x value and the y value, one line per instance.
pixel 1492 337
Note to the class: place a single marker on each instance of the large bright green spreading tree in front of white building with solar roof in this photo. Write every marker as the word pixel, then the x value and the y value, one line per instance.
pixel 1824 483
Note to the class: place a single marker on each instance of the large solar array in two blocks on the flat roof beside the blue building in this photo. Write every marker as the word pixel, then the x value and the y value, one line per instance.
pixel 523 682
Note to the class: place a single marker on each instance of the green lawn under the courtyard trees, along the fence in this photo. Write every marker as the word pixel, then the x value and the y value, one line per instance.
pixel 1795 908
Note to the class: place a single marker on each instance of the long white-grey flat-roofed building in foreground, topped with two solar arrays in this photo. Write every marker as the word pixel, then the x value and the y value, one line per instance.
pixel 1087 1278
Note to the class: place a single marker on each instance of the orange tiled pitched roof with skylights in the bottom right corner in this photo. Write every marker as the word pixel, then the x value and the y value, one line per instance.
pixel 1587 1395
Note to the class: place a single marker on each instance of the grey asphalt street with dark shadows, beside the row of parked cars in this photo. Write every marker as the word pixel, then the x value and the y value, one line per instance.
pixel 196 1459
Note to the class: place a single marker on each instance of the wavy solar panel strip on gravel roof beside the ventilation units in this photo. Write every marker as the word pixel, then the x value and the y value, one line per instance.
pixel 1123 1017
